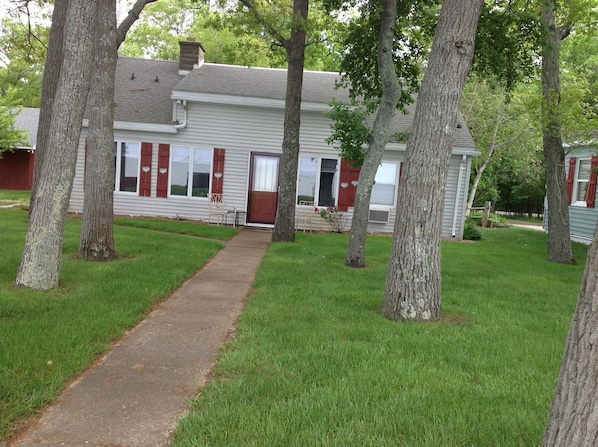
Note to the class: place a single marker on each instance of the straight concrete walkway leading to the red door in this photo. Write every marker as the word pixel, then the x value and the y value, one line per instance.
pixel 133 396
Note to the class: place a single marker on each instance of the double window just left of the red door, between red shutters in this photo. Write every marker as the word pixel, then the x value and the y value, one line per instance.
pixel 190 170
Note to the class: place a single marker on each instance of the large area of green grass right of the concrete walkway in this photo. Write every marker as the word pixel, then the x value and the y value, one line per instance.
pixel 315 363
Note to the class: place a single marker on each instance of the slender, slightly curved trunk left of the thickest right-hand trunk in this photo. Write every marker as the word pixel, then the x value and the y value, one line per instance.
pixel 391 93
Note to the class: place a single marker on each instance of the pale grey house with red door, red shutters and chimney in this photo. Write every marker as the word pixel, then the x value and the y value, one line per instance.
pixel 185 129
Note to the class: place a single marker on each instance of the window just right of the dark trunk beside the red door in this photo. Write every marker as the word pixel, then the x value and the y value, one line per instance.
pixel 317 180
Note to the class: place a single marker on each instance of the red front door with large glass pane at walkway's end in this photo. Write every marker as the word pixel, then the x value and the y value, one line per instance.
pixel 263 188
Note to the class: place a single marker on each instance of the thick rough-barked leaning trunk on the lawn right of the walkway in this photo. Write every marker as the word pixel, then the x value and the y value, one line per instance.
pixel 413 284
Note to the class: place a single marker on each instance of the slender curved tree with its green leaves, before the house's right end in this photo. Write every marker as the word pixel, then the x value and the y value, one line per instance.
pixel 380 66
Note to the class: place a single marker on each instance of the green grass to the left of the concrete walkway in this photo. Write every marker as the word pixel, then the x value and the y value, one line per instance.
pixel 48 338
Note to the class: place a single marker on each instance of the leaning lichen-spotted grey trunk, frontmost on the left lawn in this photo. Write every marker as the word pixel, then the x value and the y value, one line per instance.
pixel 42 252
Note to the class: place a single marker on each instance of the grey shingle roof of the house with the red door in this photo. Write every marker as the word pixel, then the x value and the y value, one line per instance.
pixel 143 100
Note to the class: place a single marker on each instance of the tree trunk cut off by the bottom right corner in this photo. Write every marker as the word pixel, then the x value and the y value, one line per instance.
pixel 573 418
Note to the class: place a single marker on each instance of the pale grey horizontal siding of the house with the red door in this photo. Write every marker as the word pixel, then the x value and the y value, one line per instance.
pixel 241 130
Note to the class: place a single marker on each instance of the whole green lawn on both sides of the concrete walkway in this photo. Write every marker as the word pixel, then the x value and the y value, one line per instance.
pixel 313 362
